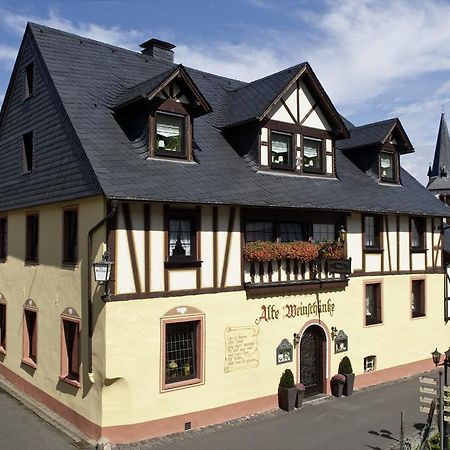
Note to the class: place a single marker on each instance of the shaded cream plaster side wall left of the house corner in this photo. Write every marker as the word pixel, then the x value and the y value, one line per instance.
pixel 53 287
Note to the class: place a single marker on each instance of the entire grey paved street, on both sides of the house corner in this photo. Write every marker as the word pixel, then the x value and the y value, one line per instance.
pixel 369 419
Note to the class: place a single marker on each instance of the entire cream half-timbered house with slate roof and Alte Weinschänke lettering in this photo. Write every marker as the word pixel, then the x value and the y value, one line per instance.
pixel 177 172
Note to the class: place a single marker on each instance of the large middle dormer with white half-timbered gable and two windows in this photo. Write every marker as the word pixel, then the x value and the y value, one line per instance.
pixel 297 123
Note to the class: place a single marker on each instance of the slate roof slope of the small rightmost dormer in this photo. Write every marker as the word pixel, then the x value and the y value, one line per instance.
pixel 366 135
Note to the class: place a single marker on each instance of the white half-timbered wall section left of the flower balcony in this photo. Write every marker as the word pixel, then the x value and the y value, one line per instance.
pixel 140 251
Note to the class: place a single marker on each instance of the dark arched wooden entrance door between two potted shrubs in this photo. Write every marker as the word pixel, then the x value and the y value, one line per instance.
pixel 312 360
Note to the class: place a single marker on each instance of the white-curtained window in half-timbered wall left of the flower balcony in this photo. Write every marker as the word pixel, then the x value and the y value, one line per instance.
pixel 182 242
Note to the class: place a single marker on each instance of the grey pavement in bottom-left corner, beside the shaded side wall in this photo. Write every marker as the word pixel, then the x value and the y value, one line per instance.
pixel 21 429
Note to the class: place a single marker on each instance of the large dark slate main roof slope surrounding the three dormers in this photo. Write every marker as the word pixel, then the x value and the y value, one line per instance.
pixel 89 77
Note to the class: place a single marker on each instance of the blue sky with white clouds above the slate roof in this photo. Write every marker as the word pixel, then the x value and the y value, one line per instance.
pixel 376 59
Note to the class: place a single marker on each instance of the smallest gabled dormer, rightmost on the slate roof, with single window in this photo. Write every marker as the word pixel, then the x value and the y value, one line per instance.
pixel 376 148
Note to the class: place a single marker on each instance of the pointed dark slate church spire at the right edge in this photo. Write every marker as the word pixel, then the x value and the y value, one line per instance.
pixel 439 173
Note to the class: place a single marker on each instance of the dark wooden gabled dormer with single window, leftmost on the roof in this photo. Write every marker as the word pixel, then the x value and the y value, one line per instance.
pixel 158 114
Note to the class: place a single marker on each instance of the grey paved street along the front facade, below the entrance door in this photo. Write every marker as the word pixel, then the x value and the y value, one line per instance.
pixel 367 420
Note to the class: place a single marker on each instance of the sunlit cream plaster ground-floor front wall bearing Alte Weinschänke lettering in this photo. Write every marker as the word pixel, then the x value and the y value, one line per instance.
pixel 133 345
